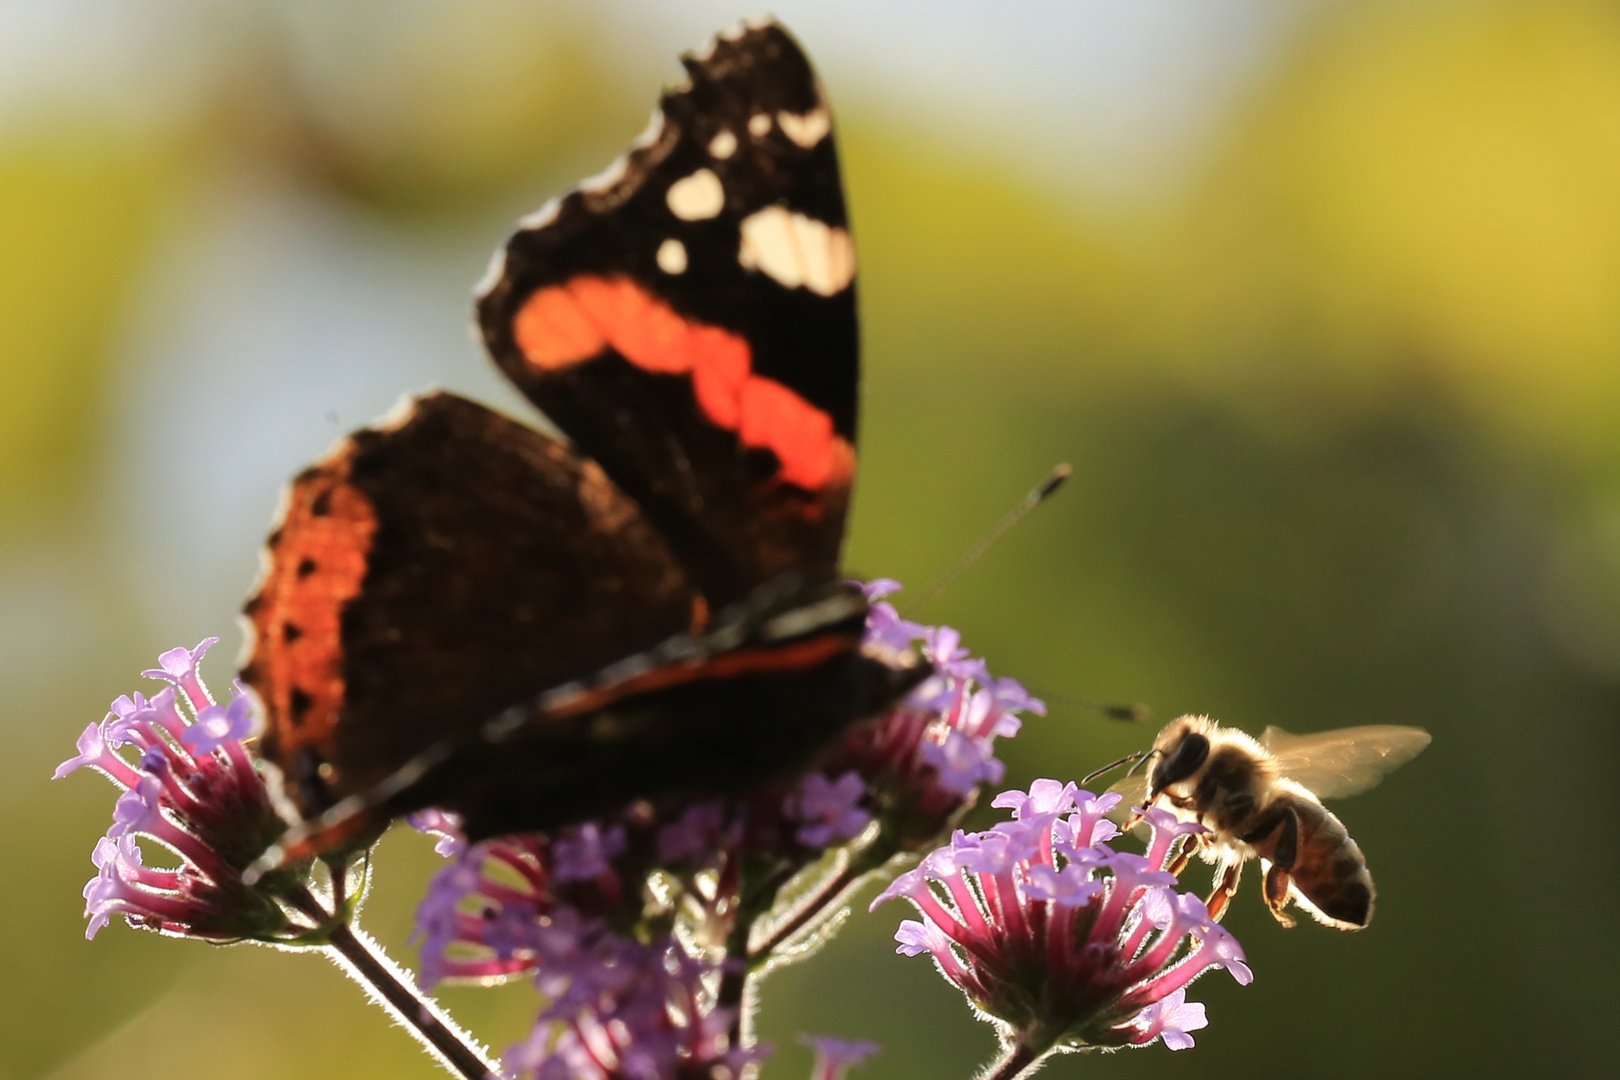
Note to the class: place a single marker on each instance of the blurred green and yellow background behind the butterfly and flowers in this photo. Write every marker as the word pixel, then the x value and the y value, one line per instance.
pixel 1323 302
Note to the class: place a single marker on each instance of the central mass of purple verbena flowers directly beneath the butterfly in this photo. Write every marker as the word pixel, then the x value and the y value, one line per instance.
pixel 571 908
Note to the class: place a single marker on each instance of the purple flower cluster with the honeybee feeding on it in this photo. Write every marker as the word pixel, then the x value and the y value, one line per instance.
pixel 1060 940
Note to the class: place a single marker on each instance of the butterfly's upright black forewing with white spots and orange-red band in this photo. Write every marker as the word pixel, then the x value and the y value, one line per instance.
pixel 689 320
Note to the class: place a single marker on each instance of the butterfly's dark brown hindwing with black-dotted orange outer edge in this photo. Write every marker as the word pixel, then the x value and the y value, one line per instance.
pixel 433 571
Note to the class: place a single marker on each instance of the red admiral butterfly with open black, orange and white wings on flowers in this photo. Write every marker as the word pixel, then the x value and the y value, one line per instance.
pixel 464 613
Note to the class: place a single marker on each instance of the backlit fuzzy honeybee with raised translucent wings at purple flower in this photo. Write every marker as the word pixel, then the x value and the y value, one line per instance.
pixel 1263 799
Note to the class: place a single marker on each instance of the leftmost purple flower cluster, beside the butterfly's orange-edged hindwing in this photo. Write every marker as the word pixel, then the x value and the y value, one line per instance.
pixel 194 789
